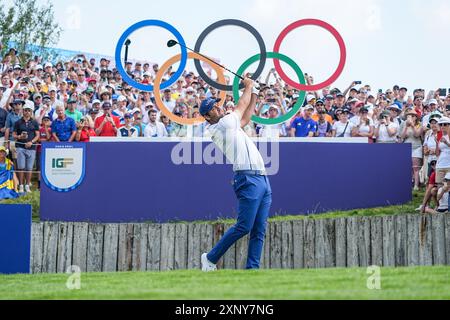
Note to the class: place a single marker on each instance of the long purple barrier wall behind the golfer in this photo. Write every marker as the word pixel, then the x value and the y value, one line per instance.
pixel 136 182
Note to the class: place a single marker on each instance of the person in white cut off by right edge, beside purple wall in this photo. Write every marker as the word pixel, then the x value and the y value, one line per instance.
pixel 443 152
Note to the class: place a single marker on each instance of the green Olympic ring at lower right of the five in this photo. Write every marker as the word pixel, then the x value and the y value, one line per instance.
pixel 293 65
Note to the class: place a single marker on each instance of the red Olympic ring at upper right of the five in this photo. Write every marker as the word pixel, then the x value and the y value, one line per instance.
pixel 336 35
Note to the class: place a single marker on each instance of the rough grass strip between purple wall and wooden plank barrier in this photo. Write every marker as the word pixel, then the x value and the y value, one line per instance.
pixel 33 199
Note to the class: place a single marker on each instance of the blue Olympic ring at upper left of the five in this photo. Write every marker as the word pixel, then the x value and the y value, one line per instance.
pixel 137 26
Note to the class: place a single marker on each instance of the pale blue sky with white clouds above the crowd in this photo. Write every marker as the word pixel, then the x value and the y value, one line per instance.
pixel 403 42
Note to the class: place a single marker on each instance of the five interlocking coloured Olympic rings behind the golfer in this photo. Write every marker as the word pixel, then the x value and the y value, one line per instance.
pixel 261 58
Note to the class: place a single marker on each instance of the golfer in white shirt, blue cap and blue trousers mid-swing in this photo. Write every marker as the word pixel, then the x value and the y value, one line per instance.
pixel 251 183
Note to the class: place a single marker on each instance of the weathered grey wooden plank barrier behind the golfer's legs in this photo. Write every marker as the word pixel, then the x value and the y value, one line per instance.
pixel 402 240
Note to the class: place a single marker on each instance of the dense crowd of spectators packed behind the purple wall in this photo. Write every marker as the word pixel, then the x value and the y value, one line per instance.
pixel 81 98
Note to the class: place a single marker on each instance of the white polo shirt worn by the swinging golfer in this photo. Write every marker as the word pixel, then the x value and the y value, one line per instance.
pixel 238 148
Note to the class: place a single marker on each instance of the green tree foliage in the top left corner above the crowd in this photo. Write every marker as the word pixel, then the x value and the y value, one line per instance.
pixel 27 23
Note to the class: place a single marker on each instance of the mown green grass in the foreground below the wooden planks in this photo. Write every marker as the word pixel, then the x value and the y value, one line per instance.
pixel 396 283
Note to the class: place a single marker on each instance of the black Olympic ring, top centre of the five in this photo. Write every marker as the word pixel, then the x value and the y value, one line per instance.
pixel 222 23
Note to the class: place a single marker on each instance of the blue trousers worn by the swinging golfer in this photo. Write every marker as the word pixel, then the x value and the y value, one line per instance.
pixel 255 197
